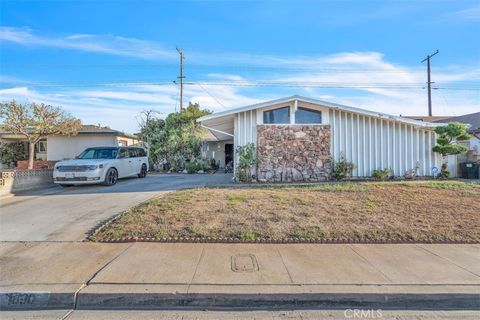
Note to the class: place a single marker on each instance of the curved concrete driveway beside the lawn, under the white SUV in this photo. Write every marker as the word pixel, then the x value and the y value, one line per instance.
pixel 67 214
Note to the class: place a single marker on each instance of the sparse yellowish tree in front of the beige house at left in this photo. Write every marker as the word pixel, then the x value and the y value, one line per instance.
pixel 36 122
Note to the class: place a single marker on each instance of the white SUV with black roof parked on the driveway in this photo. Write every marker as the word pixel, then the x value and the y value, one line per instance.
pixel 102 165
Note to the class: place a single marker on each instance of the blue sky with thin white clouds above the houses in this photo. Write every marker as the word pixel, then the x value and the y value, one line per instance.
pixel 105 61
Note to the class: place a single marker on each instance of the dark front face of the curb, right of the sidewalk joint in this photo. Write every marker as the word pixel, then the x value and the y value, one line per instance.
pixel 259 301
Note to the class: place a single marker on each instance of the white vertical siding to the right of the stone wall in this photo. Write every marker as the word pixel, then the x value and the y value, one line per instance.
pixel 372 143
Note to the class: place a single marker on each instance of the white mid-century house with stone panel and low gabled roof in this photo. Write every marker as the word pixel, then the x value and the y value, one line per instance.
pixel 296 138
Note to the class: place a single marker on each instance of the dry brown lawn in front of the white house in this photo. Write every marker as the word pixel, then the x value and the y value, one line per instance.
pixel 407 211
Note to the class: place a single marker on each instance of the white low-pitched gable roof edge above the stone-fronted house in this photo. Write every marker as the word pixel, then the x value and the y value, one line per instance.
pixel 327 104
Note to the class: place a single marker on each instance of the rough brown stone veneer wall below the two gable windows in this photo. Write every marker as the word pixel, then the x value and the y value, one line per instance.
pixel 293 153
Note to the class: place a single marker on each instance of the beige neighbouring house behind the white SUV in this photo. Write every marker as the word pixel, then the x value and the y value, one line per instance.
pixel 56 148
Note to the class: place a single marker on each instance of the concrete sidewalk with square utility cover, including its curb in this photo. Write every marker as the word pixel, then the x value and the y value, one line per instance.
pixel 72 275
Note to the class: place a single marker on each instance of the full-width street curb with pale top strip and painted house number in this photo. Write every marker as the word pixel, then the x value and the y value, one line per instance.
pixel 141 297
